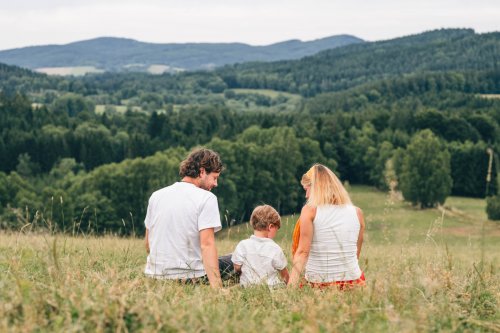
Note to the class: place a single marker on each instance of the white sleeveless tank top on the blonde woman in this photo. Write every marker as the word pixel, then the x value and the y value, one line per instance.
pixel 334 245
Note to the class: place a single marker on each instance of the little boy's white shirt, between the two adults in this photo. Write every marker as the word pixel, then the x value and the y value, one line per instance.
pixel 260 260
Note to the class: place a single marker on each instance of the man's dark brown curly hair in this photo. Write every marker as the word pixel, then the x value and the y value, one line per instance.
pixel 200 158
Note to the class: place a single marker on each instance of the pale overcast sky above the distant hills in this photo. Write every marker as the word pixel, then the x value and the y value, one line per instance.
pixel 255 22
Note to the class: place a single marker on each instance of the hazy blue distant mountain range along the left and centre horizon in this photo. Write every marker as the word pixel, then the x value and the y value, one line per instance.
pixel 122 55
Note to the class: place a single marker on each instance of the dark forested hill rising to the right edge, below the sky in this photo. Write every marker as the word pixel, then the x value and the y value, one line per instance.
pixel 342 68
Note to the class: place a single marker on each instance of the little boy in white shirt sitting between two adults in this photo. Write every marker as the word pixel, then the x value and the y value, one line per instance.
pixel 259 258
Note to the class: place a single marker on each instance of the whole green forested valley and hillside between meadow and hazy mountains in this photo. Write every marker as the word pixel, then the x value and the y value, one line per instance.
pixel 417 114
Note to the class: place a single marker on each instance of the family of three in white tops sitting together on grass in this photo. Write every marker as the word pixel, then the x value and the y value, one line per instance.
pixel 182 220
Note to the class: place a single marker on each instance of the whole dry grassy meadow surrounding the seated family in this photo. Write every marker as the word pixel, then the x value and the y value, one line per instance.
pixel 427 271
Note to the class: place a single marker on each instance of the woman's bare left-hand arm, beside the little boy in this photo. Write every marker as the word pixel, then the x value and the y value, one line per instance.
pixel 306 233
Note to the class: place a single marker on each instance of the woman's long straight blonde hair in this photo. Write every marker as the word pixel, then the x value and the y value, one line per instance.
pixel 325 187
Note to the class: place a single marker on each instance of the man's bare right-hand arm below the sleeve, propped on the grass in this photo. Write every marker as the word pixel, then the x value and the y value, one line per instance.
pixel 209 257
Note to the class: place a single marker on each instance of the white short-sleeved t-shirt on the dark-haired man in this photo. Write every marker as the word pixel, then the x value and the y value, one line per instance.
pixel 176 215
